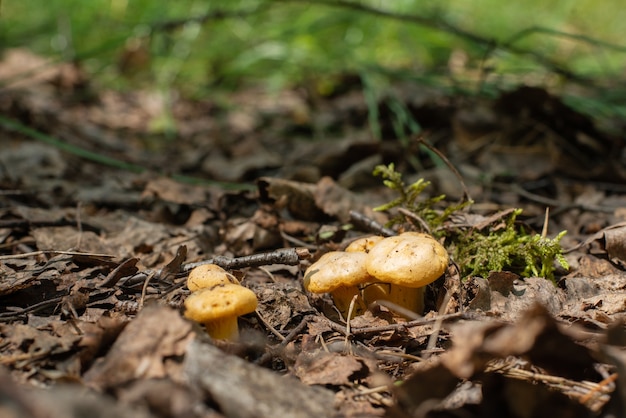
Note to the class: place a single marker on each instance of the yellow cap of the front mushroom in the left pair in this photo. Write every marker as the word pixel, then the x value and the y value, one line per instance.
pixel 220 301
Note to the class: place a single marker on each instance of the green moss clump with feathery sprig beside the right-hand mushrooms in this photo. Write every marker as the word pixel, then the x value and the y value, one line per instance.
pixel 504 245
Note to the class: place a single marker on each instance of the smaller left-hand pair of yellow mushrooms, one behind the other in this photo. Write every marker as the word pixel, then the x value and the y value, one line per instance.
pixel 217 300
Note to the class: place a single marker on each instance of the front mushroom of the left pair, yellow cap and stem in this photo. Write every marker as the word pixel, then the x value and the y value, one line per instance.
pixel 218 307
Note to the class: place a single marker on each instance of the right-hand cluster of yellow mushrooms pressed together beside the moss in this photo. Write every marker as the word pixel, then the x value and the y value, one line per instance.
pixel 374 268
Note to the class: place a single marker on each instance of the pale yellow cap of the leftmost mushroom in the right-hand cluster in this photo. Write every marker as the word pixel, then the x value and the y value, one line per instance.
pixel 335 269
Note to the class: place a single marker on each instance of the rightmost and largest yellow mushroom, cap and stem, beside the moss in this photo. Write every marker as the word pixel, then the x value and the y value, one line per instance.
pixel 405 263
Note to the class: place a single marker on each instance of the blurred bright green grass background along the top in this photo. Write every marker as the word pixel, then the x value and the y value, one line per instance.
pixel 277 44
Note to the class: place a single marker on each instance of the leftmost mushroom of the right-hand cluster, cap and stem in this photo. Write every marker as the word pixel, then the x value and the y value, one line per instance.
pixel 339 273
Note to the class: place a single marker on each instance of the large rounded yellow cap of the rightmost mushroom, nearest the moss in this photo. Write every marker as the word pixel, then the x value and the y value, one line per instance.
pixel 410 259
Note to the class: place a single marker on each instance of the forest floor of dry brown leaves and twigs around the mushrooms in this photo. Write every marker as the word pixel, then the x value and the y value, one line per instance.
pixel 98 234
